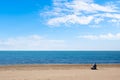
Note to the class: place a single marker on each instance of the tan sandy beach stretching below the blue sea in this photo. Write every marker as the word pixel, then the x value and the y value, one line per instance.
pixel 60 72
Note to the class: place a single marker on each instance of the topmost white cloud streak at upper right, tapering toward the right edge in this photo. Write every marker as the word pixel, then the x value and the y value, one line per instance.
pixel 88 6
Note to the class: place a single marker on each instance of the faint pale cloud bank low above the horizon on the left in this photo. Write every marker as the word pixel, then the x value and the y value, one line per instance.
pixel 33 42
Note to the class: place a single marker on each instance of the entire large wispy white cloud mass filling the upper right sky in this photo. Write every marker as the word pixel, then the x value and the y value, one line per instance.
pixel 81 12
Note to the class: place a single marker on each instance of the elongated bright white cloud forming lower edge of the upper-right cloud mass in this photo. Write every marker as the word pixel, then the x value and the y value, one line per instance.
pixel 71 19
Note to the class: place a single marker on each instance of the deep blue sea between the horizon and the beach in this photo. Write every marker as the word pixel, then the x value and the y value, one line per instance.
pixel 59 57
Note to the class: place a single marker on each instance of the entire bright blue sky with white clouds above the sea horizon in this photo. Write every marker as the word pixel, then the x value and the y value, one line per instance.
pixel 60 25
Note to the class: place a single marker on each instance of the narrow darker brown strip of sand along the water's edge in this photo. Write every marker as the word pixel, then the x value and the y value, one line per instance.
pixel 57 66
